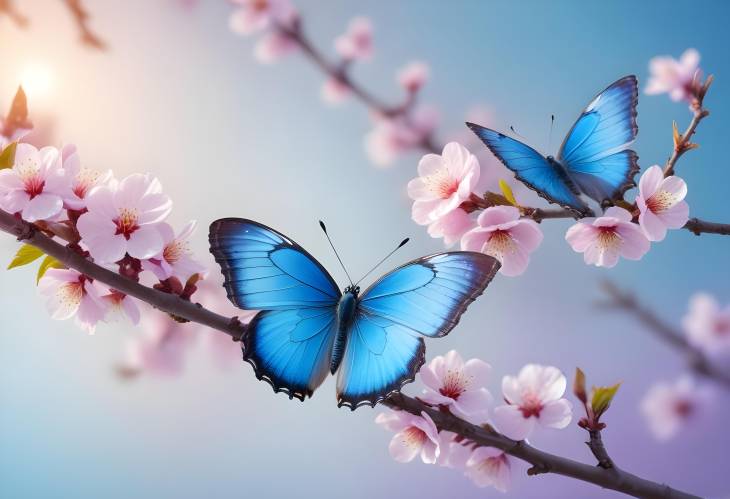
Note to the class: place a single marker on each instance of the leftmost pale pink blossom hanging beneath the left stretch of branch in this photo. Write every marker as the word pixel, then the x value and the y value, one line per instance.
pixel 70 294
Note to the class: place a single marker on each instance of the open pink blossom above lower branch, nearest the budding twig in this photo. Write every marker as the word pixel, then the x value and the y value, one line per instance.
pixel 534 397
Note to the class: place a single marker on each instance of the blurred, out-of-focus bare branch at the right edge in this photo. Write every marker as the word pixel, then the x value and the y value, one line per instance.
pixel 697 360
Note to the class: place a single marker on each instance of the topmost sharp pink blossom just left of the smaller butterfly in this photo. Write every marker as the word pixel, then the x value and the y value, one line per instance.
pixel 443 183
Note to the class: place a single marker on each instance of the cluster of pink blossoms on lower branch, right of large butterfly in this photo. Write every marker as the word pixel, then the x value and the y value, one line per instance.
pixel 533 399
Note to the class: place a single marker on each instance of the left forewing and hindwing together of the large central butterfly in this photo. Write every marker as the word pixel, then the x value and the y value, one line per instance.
pixel 288 343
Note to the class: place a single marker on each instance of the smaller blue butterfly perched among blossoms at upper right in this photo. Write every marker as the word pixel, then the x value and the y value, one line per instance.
pixel 594 159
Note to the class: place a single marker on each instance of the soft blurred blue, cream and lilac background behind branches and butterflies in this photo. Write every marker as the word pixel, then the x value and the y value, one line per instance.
pixel 182 97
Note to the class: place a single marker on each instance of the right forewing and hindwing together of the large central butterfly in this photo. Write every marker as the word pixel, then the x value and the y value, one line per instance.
pixel 425 297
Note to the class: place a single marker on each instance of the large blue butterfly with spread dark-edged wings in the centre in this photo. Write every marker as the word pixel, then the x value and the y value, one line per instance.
pixel 307 328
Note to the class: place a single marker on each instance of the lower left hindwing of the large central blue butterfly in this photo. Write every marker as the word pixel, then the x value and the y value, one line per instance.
pixel 291 349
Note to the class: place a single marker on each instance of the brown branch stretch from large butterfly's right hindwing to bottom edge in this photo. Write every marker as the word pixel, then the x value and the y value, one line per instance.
pixel 542 462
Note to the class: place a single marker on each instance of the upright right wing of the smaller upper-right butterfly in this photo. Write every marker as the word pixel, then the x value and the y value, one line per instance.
pixel 595 152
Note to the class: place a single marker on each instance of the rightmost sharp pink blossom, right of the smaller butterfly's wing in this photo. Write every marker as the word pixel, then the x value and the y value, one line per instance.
pixel 661 203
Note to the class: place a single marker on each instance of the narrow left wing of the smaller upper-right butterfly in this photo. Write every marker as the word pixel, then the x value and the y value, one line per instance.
pixel 532 169
